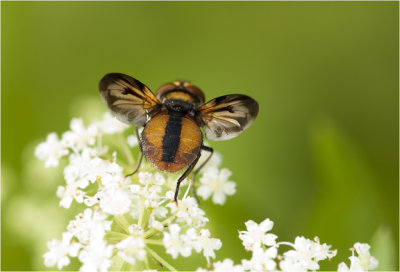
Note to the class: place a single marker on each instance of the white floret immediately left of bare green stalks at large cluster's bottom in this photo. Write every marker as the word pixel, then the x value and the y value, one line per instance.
pixel 131 249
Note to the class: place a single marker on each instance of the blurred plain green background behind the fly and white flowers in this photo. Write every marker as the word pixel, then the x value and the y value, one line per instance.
pixel 321 158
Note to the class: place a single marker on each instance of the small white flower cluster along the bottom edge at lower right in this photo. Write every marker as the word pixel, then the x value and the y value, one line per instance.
pixel 304 254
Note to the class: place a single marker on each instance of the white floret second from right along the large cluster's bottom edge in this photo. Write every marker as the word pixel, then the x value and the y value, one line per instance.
pixel 175 243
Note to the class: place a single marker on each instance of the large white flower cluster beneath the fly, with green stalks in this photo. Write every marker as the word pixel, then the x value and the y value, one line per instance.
pixel 123 217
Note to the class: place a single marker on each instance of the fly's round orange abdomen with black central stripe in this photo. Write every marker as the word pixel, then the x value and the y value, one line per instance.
pixel 171 142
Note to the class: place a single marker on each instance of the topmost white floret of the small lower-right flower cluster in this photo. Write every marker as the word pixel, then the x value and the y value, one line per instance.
pixel 256 234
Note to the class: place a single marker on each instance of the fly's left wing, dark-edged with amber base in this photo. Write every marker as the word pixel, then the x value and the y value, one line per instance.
pixel 128 99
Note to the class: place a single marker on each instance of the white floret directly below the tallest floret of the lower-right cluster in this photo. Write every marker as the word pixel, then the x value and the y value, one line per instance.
pixel 261 260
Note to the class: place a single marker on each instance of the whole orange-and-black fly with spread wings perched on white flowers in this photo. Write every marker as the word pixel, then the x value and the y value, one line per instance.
pixel 172 139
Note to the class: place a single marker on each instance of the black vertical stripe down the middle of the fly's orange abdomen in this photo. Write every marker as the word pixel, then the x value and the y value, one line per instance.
pixel 171 138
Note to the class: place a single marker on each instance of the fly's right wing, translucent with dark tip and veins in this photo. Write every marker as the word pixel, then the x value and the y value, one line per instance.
pixel 227 116
